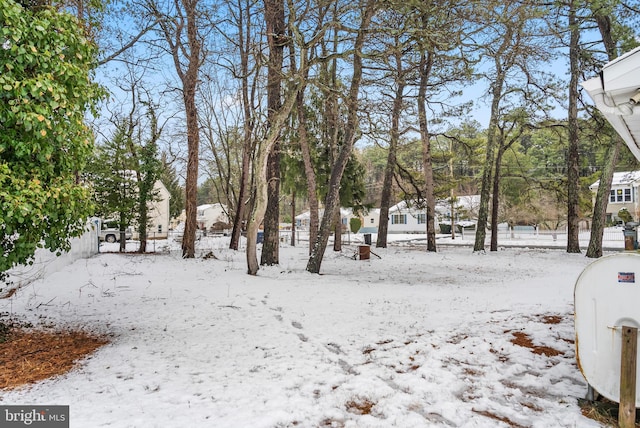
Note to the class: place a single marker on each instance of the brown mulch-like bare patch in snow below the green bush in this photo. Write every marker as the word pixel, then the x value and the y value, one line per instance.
pixel 28 356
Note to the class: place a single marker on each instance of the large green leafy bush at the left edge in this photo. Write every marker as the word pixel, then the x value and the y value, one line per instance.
pixel 46 88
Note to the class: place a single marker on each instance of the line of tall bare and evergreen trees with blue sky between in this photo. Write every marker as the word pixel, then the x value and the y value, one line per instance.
pixel 273 96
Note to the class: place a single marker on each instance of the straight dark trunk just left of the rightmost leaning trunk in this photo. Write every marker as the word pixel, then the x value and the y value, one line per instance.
pixel 573 174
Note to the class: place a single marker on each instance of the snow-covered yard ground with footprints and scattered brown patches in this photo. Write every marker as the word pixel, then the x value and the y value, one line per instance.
pixel 406 339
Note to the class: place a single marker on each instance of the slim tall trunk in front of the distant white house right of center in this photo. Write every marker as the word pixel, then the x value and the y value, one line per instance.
pixel 426 64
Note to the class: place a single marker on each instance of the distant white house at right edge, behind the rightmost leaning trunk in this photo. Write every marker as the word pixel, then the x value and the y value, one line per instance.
pixel 624 194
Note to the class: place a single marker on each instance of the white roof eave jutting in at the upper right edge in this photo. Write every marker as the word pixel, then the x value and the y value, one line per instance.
pixel 616 93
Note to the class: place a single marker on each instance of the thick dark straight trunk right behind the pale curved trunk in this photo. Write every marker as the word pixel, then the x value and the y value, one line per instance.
pixel 276 38
